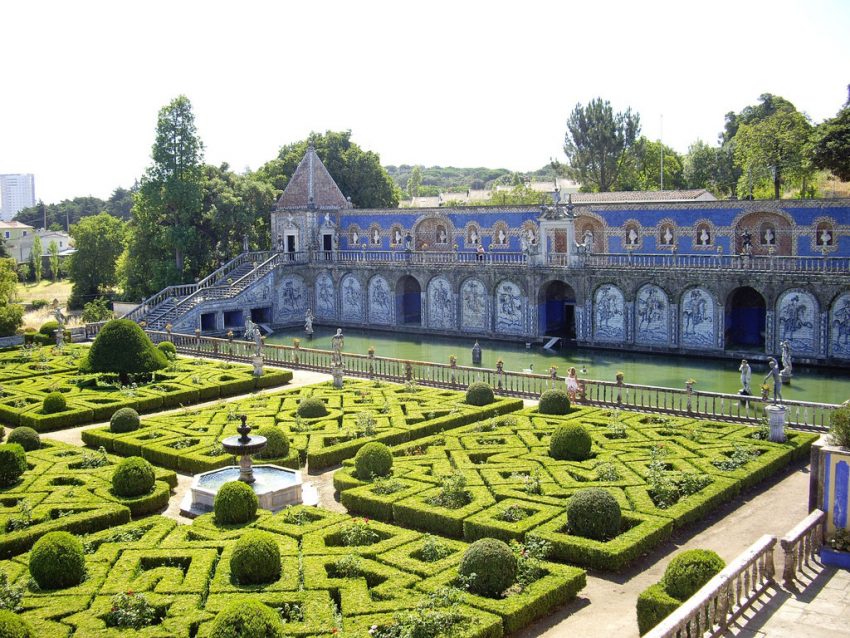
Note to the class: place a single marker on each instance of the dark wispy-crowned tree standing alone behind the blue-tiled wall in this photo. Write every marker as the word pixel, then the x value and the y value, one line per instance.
pixel 597 143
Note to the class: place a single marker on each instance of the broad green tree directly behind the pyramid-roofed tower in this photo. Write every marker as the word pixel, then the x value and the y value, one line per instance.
pixel 358 173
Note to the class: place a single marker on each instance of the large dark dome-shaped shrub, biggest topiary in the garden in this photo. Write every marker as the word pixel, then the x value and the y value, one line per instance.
pixel 123 347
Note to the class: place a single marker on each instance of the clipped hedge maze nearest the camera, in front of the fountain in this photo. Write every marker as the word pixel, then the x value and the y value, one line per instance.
pixel 184 572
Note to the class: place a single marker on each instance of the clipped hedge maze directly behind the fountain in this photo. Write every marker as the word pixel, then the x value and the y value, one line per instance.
pixel 361 412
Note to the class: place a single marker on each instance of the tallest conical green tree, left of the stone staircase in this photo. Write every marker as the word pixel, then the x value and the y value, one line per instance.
pixel 168 206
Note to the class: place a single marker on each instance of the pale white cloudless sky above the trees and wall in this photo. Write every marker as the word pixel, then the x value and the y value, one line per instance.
pixel 457 83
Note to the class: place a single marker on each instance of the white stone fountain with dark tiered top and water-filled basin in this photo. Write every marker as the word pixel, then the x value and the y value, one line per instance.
pixel 276 487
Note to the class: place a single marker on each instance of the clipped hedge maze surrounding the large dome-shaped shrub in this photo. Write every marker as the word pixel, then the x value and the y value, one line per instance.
pixel 28 375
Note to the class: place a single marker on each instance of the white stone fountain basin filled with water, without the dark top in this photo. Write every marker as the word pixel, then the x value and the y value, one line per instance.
pixel 276 487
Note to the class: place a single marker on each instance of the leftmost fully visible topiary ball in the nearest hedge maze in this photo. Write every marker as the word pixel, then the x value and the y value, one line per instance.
pixel 57 561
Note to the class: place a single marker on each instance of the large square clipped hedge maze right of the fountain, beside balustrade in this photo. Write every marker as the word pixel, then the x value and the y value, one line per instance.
pixel 664 471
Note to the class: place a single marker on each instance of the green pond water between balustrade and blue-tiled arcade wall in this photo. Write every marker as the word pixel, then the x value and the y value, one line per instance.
pixel 714 375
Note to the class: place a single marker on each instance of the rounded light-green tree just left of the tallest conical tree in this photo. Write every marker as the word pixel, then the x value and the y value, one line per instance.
pixel 99 242
